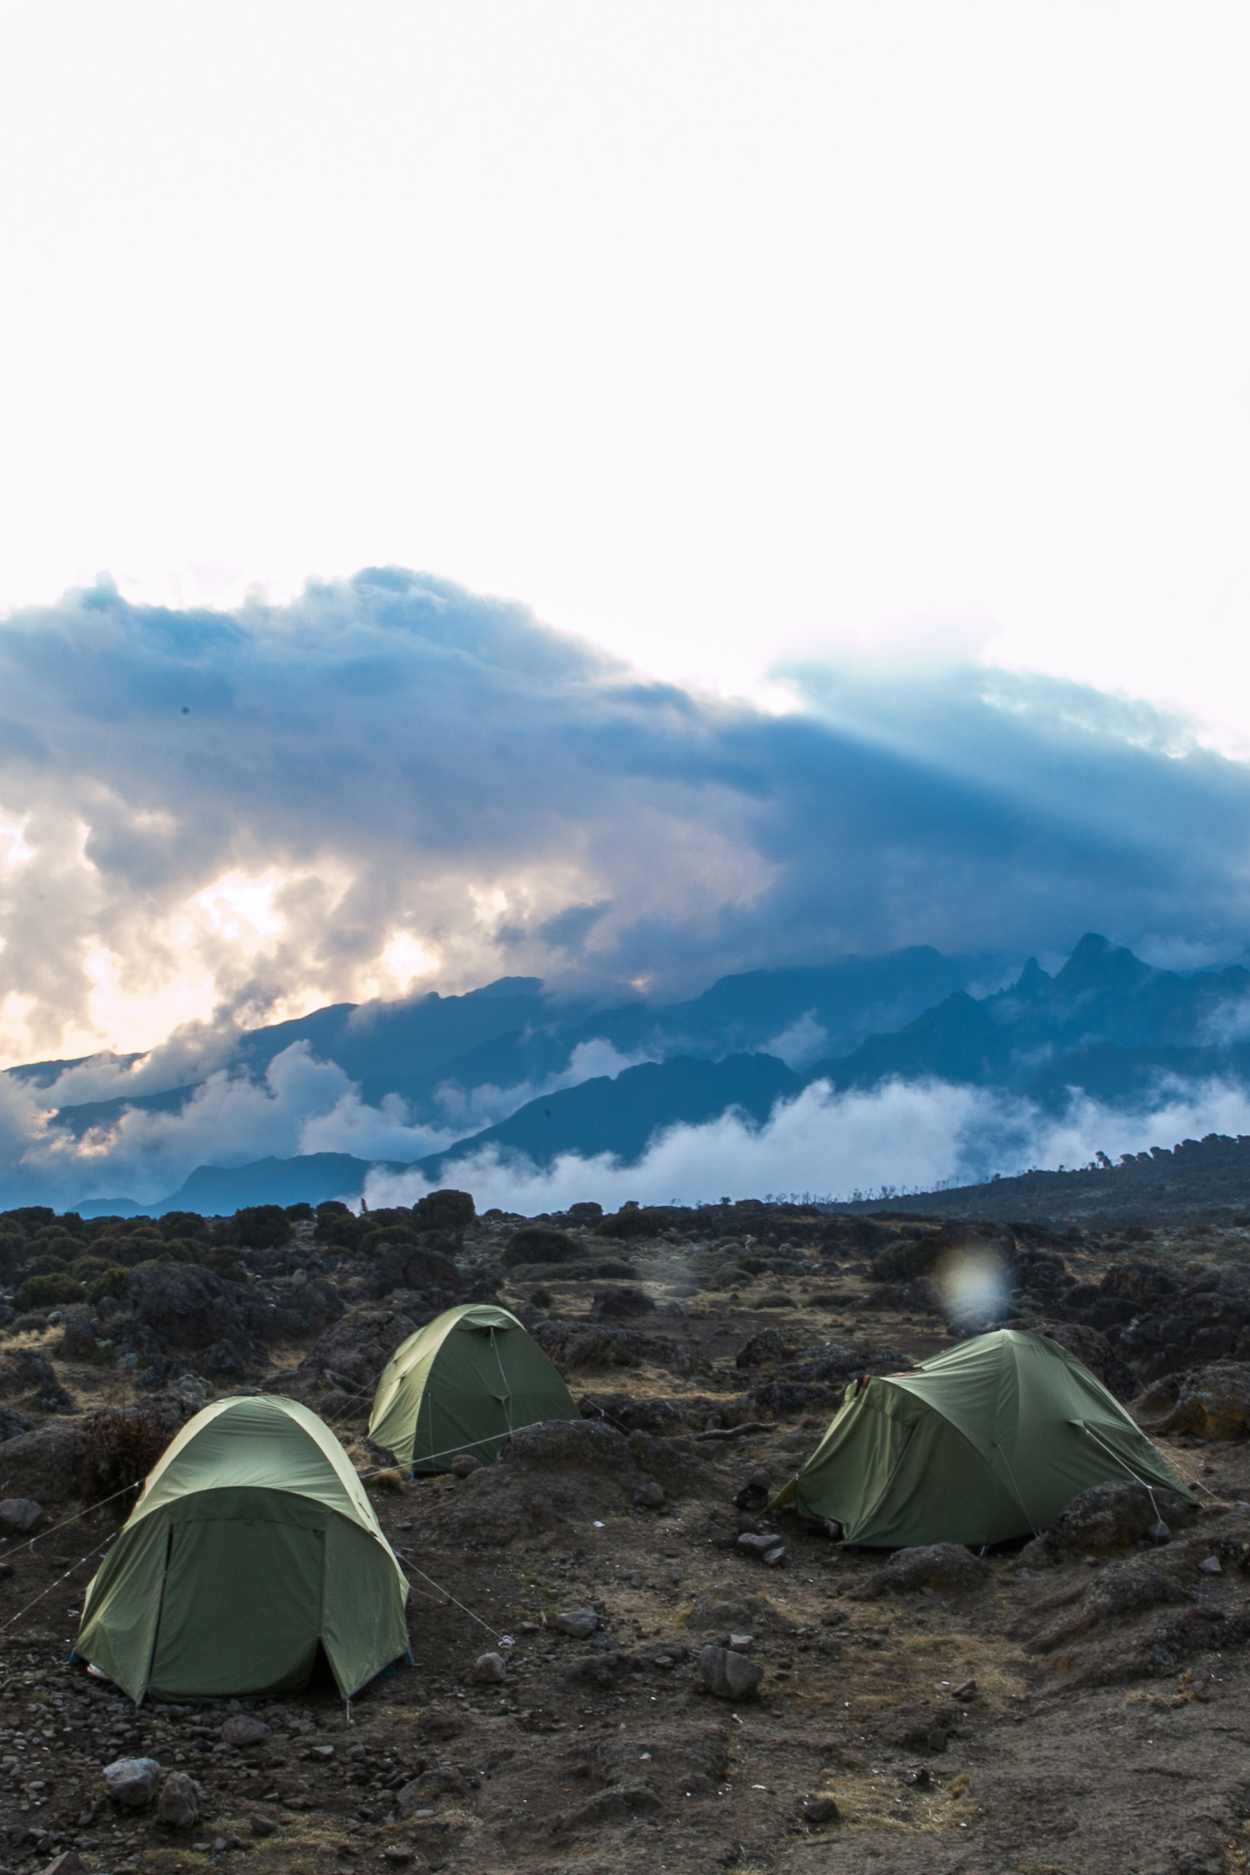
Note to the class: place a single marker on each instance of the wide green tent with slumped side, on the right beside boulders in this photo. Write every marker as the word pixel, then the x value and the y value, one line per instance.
pixel 985 1443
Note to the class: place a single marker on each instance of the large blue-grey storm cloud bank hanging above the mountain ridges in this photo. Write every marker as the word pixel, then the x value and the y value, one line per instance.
pixel 406 751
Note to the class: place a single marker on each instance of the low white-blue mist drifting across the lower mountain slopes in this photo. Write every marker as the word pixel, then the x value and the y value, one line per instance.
pixel 897 1137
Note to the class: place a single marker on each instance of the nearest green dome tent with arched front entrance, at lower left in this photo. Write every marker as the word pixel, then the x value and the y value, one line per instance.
pixel 252 1548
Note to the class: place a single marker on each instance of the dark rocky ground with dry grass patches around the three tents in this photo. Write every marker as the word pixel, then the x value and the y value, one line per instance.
pixel 621 1683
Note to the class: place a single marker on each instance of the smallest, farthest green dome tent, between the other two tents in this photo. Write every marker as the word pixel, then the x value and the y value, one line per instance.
pixel 464 1383
